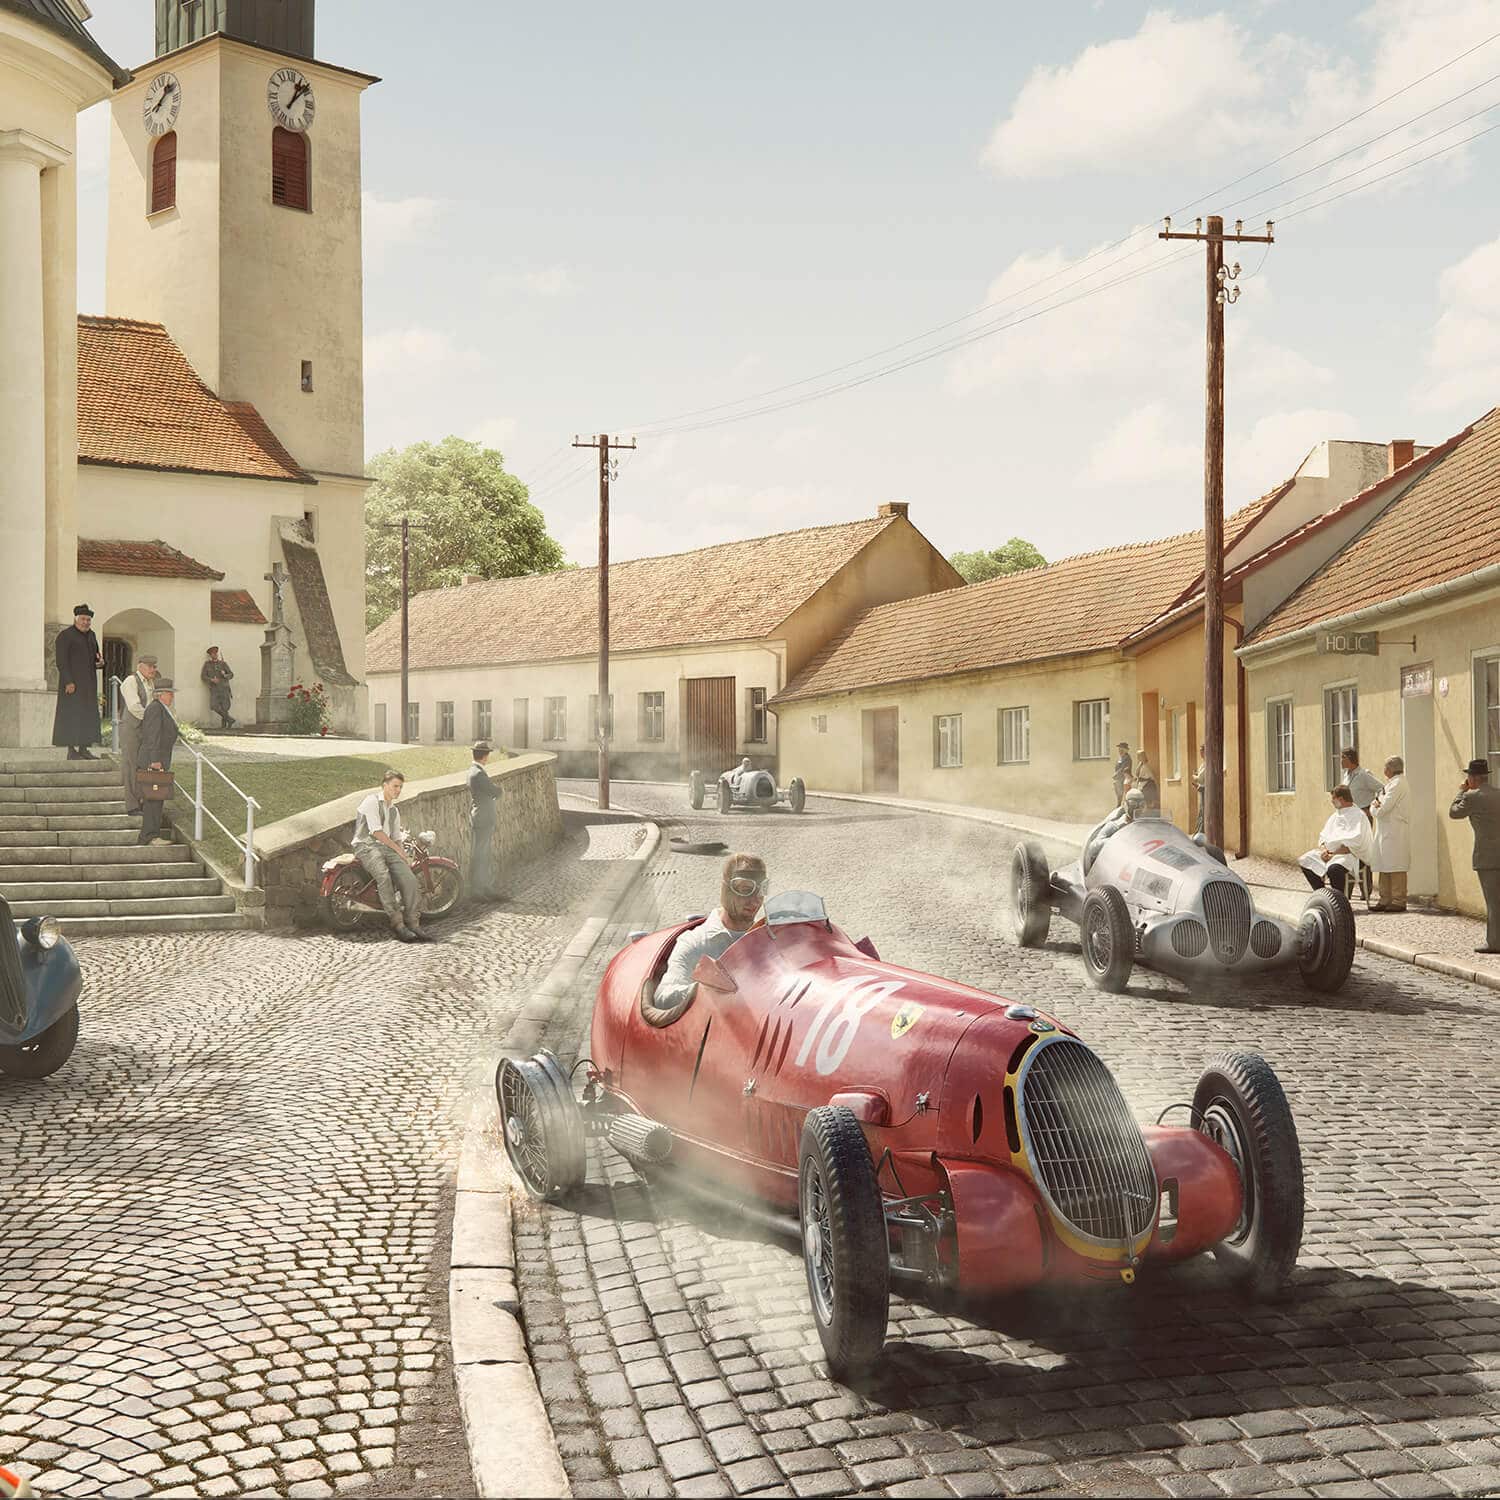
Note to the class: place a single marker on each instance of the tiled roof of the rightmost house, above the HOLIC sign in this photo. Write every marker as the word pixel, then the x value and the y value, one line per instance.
pixel 1444 527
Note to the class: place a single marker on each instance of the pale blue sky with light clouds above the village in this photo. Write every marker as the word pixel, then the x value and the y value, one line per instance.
pixel 598 218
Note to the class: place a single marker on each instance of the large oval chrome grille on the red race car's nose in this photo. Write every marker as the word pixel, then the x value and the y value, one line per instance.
pixel 1085 1147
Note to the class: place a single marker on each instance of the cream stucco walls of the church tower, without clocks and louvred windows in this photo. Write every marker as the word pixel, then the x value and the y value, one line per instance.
pixel 250 289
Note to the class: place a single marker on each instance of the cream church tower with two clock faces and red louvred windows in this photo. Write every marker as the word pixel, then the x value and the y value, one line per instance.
pixel 235 217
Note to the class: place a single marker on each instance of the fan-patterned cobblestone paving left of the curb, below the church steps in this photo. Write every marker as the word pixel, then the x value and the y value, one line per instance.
pixel 226 1220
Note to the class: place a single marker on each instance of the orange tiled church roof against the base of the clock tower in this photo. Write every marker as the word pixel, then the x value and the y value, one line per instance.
pixel 140 406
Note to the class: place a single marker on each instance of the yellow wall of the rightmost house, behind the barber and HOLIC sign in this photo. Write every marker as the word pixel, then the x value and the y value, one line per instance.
pixel 1451 637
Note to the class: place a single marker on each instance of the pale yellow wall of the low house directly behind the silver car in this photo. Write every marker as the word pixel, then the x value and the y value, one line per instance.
pixel 823 740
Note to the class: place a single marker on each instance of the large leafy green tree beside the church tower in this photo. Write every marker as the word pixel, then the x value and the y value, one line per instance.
pixel 469 517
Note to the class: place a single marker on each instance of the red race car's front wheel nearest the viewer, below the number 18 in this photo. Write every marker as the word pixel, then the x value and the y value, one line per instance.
pixel 845 1247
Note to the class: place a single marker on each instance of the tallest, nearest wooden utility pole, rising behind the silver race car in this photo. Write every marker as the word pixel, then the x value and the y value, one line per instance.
pixel 1220 292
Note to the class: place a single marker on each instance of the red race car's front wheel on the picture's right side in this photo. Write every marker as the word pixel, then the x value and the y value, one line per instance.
pixel 1241 1106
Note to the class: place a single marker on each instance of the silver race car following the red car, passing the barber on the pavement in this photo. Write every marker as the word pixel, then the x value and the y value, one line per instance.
pixel 1147 892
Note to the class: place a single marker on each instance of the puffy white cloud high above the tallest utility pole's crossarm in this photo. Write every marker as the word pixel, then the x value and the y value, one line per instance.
pixel 1178 91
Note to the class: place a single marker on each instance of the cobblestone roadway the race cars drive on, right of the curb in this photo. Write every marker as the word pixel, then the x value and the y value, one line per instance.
pixel 677 1352
